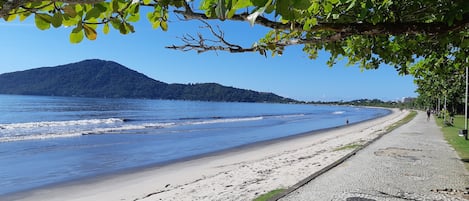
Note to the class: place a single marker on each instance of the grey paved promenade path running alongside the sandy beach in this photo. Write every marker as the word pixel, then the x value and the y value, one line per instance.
pixel 413 162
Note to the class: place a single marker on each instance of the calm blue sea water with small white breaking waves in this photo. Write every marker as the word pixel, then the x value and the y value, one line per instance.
pixel 49 140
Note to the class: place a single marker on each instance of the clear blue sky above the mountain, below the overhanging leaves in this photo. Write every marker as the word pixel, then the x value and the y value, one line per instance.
pixel 291 75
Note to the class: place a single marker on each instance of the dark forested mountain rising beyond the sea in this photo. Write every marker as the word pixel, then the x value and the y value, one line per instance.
pixel 98 78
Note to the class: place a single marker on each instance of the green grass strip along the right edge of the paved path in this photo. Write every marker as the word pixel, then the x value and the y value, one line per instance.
pixel 451 134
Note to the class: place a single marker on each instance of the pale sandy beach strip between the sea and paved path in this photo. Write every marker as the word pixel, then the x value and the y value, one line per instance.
pixel 238 174
